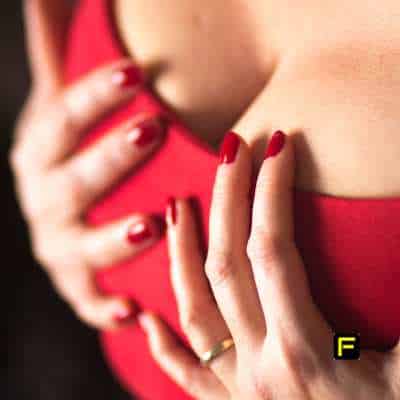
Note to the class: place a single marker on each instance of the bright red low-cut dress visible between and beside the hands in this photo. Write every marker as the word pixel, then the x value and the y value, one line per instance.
pixel 351 247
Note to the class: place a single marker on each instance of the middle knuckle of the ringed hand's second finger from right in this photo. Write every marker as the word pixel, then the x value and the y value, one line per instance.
pixel 219 266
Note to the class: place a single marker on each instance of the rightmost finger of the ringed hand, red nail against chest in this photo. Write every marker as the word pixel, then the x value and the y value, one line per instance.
pixel 278 269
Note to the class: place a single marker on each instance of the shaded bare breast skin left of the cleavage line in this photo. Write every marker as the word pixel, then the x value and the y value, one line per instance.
pixel 206 58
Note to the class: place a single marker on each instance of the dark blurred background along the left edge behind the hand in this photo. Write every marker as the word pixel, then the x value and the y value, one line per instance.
pixel 46 354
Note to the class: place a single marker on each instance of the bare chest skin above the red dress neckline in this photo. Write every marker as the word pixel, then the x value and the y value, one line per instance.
pixel 327 75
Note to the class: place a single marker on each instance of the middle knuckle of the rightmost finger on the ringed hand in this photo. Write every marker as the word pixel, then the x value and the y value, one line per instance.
pixel 264 247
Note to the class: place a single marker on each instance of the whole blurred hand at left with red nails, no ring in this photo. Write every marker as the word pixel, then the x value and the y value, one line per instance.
pixel 56 186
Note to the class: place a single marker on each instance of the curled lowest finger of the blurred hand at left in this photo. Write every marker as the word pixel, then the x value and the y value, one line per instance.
pixel 78 287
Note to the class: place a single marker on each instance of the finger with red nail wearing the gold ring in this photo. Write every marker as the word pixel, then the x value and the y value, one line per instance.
pixel 199 315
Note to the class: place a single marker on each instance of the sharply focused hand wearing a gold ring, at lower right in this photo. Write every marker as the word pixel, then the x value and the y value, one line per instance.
pixel 253 288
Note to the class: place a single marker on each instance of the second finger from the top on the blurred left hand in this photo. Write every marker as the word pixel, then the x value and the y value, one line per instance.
pixel 94 171
